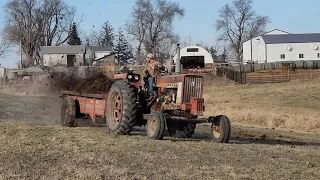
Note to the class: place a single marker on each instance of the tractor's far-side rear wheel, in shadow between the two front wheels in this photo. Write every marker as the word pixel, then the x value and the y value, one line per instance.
pixel 181 129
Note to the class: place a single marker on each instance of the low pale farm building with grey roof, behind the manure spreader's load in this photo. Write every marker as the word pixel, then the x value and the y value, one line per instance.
pixel 76 55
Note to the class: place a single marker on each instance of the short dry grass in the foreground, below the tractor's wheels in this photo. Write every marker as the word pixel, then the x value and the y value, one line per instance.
pixel 48 152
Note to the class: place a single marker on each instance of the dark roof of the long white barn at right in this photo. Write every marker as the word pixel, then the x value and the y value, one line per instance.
pixel 291 38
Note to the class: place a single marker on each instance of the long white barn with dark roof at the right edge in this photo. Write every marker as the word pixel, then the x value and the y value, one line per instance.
pixel 277 45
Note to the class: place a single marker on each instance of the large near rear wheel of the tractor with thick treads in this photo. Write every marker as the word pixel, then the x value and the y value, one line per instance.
pixel 121 108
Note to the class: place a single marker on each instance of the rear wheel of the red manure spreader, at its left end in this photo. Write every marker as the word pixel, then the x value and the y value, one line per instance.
pixel 68 112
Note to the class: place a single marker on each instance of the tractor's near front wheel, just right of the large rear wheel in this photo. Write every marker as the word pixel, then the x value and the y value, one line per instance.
pixel 156 125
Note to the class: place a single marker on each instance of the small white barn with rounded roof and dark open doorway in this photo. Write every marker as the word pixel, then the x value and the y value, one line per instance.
pixel 194 56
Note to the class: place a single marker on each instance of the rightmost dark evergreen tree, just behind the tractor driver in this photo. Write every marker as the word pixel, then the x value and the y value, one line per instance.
pixel 123 52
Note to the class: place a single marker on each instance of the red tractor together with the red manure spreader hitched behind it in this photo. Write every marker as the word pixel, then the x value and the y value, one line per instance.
pixel 176 106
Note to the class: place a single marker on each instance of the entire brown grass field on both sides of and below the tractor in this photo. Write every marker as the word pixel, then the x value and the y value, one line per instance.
pixel 35 146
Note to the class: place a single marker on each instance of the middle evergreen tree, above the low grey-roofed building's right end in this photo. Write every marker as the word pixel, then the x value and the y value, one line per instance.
pixel 107 35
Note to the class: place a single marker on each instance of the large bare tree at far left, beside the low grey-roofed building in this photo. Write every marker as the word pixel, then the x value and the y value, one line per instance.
pixel 37 23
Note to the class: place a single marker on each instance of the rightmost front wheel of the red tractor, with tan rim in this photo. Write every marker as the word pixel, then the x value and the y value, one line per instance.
pixel 221 129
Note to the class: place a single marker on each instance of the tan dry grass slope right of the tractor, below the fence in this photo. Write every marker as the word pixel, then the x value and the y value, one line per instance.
pixel 294 105
